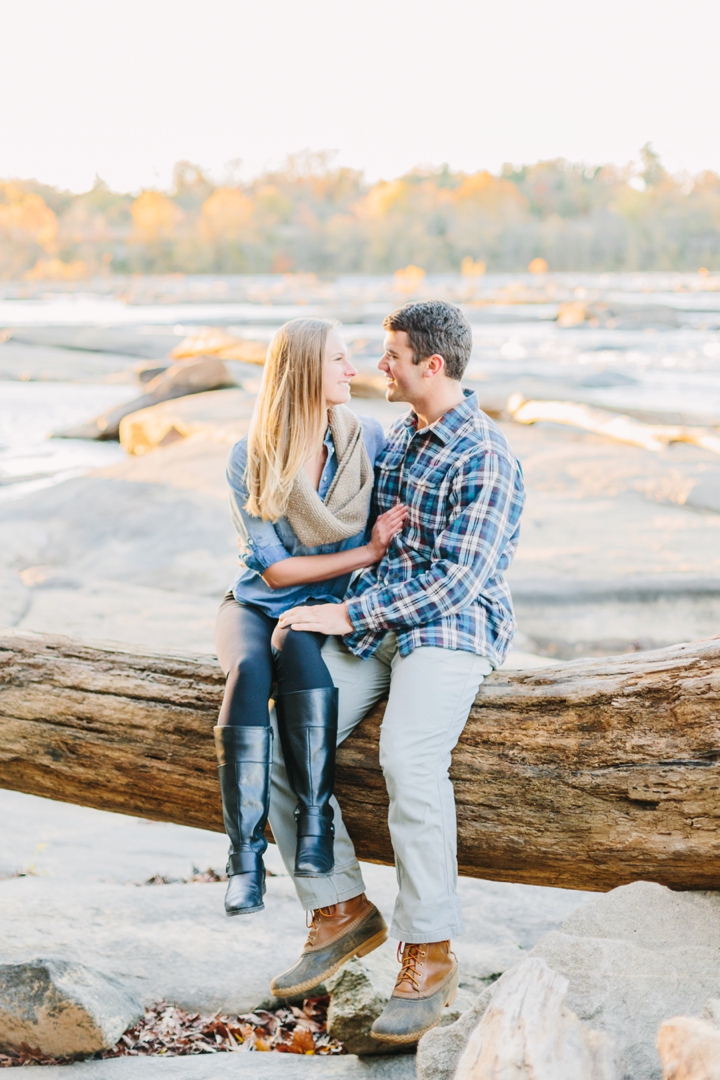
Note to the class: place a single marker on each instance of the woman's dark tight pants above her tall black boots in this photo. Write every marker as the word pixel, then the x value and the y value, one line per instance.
pixel 254 655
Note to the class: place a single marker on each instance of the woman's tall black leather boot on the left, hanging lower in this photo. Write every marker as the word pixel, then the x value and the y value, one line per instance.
pixel 244 766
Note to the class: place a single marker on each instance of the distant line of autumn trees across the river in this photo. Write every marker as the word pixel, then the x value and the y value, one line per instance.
pixel 315 217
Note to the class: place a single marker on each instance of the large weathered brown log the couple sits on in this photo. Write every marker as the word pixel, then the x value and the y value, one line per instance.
pixel 586 776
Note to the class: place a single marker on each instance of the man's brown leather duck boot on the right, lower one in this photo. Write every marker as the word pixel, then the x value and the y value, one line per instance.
pixel 428 983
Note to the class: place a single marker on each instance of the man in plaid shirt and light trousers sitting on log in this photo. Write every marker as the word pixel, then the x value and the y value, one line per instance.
pixel 426 626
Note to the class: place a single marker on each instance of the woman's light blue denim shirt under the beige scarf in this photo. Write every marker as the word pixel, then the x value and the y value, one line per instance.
pixel 263 544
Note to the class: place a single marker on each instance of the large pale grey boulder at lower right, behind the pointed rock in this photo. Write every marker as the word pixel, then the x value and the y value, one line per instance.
pixel 633 958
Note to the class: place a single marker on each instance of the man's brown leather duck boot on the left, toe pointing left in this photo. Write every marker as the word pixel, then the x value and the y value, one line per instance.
pixel 337 934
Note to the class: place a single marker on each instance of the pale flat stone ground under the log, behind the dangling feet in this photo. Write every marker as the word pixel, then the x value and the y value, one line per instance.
pixel 175 940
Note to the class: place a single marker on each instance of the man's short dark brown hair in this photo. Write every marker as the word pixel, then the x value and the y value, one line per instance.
pixel 434 327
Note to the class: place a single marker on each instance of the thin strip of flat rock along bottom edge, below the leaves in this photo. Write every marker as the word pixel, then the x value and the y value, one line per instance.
pixel 252 1065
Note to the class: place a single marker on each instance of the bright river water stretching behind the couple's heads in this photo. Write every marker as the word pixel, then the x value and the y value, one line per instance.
pixel 647 343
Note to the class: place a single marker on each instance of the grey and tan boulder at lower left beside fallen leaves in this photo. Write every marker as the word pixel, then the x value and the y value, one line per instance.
pixel 62 1008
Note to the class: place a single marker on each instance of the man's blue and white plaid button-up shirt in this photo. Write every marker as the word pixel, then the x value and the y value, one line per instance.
pixel 441 583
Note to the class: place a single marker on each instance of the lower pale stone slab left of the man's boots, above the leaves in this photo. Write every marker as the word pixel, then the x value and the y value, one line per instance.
pixel 159 942
